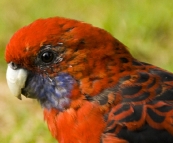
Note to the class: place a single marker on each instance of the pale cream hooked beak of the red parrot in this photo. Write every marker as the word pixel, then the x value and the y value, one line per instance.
pixel 16 79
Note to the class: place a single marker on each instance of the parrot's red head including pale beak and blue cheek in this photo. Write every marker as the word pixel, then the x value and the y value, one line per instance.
pixel 57 59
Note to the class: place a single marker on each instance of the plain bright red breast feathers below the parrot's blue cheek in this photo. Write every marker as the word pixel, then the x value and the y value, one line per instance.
pixel 76 124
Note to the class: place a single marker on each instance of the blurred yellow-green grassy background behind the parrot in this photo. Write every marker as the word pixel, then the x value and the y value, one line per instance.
pixel 145 26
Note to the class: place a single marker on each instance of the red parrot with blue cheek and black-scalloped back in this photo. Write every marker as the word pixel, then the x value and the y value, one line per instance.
pixel 90 87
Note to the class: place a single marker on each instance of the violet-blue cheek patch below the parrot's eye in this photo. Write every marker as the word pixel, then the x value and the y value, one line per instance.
pixel 51 93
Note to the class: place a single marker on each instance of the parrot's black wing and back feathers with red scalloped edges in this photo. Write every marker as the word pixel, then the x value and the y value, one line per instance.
pixel 145 113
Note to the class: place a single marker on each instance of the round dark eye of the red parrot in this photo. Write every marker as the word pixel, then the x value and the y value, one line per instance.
pixel 47 56
